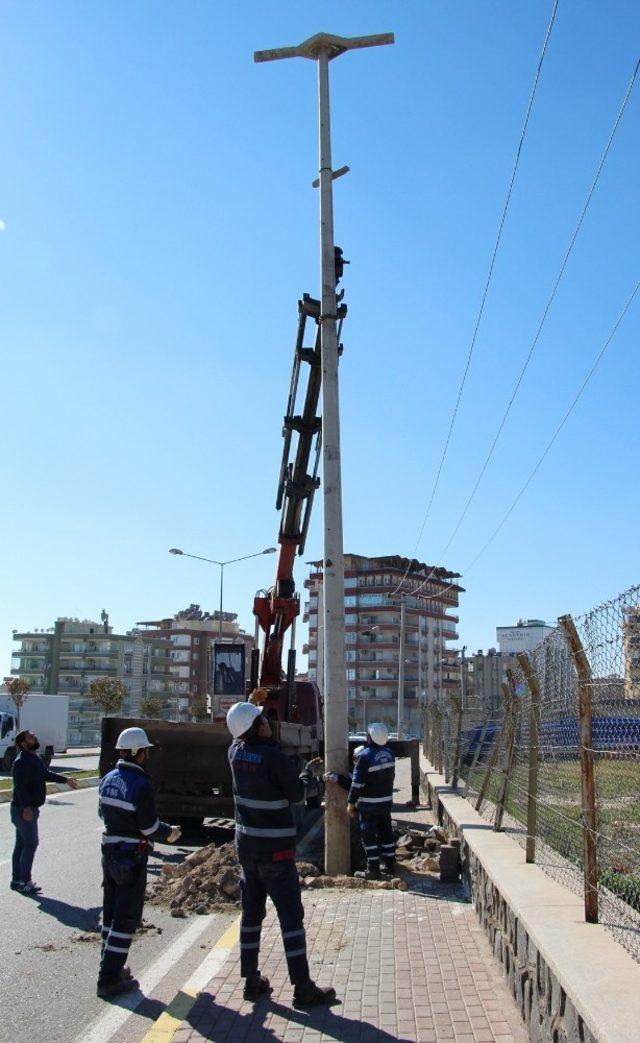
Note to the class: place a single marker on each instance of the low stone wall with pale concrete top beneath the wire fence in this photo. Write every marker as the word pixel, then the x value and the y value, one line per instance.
pixel 571 980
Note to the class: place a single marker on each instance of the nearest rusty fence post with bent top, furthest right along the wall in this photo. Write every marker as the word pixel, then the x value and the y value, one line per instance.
pixel 587 772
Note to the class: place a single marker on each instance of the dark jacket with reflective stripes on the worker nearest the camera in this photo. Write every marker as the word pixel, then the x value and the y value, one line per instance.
pixel 266 784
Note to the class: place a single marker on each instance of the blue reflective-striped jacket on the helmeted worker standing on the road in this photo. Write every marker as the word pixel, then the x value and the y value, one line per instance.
pixel 128 807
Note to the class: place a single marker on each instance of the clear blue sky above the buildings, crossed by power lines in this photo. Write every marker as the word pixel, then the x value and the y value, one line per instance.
pixel 159 226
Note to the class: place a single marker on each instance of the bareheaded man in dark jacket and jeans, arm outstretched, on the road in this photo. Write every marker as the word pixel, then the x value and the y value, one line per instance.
pixel 31 777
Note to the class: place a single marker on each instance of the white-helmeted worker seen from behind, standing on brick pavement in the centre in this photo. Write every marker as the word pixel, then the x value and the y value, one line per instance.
pixel 266 785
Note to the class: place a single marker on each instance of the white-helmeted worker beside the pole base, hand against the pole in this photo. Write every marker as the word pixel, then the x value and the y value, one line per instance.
pixel 371 798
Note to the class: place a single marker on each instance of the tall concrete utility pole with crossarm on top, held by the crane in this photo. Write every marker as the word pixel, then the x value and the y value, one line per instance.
pixel 323 48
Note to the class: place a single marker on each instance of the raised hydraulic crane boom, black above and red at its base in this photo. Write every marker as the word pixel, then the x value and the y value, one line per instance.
pixel 278 609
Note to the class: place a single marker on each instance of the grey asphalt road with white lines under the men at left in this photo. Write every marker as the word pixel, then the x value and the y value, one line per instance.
pixel 47 972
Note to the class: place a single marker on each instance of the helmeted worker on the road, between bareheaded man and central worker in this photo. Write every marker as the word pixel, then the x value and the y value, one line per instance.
pixel 127 805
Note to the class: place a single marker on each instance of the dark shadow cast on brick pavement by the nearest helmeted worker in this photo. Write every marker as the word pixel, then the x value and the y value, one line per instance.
pixel 213 1021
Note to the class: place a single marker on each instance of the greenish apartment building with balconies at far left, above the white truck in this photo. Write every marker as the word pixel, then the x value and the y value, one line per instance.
pixel 67 658
